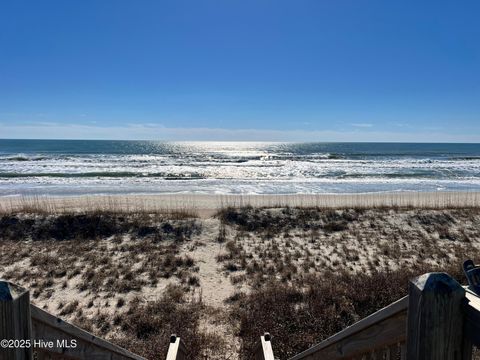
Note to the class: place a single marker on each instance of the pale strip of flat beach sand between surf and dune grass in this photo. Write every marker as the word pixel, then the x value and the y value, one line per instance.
pixel 206 205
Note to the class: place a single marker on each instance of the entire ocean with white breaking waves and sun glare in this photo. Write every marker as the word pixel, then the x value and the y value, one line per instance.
pixel 78 167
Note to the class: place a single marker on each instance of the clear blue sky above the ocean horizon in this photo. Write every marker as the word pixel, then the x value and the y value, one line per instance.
pixel 319 70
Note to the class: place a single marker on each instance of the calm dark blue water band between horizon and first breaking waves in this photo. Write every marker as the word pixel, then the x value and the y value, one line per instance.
pixel 347 150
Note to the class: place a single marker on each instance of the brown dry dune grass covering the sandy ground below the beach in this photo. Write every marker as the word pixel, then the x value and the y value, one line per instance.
pixel 300 273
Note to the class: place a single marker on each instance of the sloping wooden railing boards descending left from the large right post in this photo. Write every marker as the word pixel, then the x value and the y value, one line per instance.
pixel 383 328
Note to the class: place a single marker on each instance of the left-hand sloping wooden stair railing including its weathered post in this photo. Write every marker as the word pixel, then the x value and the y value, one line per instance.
pixel 40 335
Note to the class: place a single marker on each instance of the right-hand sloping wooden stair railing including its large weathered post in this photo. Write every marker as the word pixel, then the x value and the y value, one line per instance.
pixel 438 320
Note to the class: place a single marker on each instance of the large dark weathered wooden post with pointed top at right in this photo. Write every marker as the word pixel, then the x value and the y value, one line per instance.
pixel 435 319
